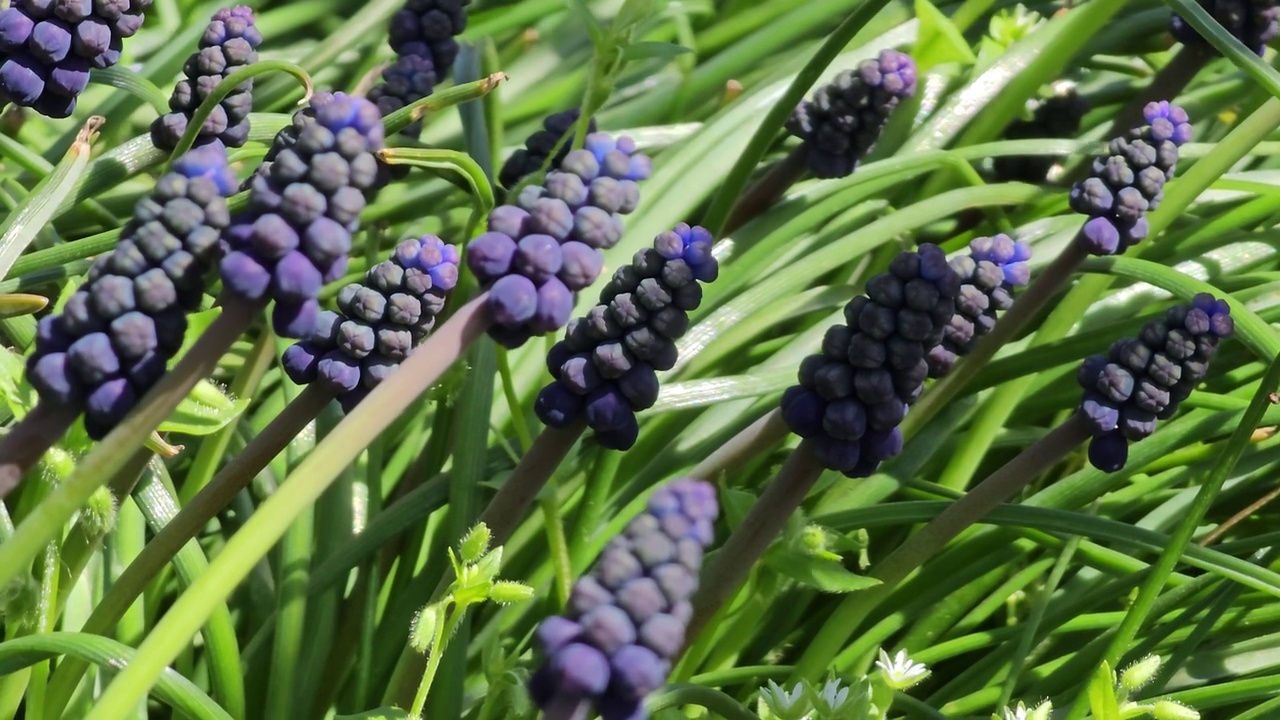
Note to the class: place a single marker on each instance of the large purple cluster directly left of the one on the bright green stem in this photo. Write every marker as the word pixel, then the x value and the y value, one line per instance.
pixel 303 209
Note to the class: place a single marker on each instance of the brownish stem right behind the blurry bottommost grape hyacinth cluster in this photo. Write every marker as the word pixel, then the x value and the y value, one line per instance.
pixel 734 560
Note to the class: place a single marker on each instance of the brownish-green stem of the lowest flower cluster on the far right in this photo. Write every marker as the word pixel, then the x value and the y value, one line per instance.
pixel 999 487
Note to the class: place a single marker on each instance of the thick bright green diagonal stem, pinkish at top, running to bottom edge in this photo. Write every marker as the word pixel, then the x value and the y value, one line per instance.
pixel 299 491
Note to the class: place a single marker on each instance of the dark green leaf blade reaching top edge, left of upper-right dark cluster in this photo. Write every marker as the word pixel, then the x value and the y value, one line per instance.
pixel 726 198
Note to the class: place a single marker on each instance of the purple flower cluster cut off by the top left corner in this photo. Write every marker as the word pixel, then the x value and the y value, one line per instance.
pixel 48 48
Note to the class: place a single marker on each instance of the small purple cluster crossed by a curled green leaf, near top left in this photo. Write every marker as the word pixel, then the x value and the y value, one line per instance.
pixel 228 45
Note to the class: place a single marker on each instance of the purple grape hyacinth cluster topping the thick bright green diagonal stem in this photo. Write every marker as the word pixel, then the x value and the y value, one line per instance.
pixel 547 247
